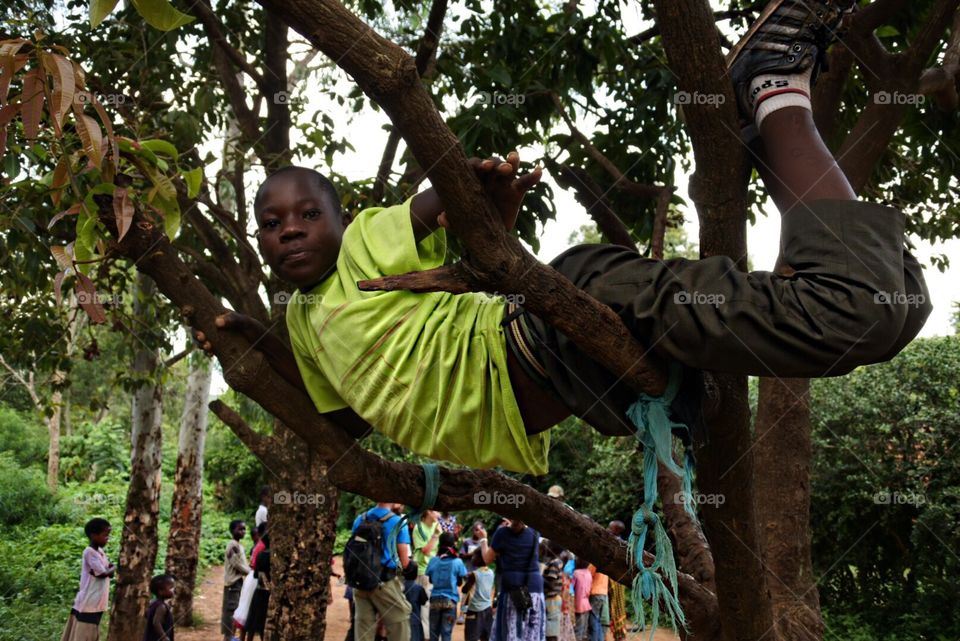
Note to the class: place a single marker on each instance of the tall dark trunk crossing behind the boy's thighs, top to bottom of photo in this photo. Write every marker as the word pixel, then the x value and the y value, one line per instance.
pixel 718 189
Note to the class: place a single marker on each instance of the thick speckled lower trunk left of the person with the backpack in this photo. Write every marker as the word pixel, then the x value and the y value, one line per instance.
pixel 303 516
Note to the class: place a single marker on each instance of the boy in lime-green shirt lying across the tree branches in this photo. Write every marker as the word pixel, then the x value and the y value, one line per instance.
pixel 476 381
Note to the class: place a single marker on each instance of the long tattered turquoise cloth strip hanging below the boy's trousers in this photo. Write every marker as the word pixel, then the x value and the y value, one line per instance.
pixel 657 583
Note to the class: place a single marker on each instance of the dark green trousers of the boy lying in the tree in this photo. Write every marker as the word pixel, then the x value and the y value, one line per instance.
pixel 856 297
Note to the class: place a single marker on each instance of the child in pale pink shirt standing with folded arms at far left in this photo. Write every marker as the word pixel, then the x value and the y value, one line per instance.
pixel 94 592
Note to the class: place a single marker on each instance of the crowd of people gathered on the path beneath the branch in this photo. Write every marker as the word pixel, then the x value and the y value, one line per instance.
pixel 512 586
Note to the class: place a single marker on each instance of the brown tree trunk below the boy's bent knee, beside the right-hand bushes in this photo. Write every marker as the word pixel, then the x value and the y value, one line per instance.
pixel 782 454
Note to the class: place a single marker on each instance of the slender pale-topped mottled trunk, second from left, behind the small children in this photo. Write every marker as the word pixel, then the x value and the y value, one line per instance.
pixel 183 542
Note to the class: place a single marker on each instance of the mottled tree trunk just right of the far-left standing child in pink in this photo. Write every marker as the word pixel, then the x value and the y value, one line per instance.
pixel 138 539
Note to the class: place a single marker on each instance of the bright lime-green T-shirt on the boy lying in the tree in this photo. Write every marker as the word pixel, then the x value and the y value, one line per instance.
pixel 429 371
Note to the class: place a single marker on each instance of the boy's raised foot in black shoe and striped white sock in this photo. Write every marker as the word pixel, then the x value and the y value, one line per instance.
pixel 776 62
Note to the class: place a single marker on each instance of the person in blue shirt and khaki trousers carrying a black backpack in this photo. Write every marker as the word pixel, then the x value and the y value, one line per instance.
pixel 387 600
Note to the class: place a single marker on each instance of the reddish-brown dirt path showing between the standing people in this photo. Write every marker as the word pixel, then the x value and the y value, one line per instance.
pixel 210 592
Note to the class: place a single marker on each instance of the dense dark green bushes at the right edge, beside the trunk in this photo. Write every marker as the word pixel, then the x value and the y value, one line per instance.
pixel 886 491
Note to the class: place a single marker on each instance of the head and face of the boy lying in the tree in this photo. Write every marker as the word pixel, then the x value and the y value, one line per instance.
pixel 300 233
